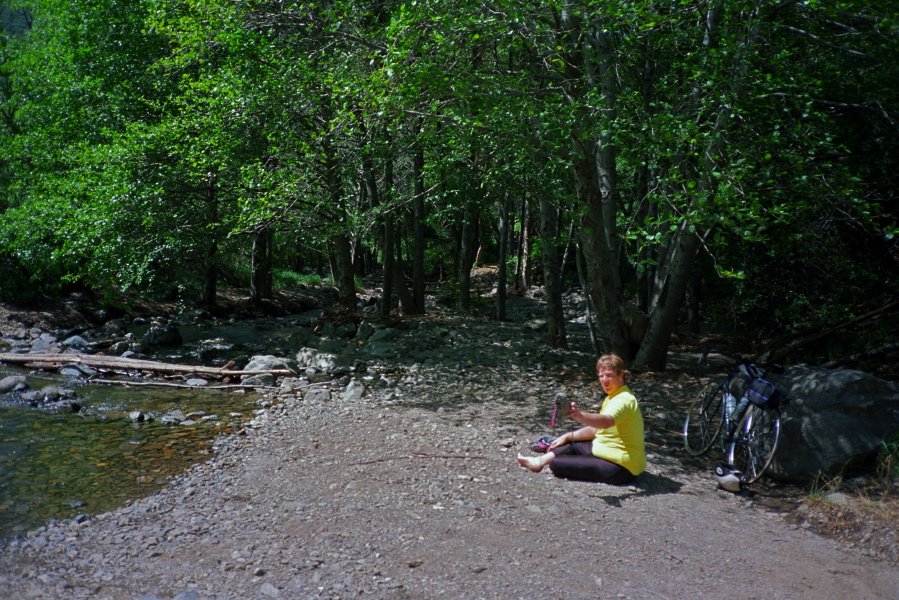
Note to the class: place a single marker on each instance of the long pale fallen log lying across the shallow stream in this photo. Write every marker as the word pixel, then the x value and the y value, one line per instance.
pixel 58 361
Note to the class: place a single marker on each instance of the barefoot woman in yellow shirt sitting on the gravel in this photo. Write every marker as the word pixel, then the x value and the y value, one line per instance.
pixel 610 447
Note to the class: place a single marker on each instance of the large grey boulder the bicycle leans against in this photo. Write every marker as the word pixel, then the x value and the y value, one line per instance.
pixel 835 416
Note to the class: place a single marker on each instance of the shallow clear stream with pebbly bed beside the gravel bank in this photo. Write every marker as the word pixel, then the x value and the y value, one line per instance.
pixel 62 465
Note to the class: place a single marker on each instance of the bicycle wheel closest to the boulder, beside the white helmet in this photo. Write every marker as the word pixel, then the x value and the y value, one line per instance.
pixel 756 441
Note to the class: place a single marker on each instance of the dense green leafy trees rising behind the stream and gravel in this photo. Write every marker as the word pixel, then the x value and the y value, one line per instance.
pixel 732 162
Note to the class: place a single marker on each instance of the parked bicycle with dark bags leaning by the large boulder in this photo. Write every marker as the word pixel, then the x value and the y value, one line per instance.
pixel 746 430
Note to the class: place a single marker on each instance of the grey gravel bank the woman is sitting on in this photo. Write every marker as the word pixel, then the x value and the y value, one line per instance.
pixel 412 491
